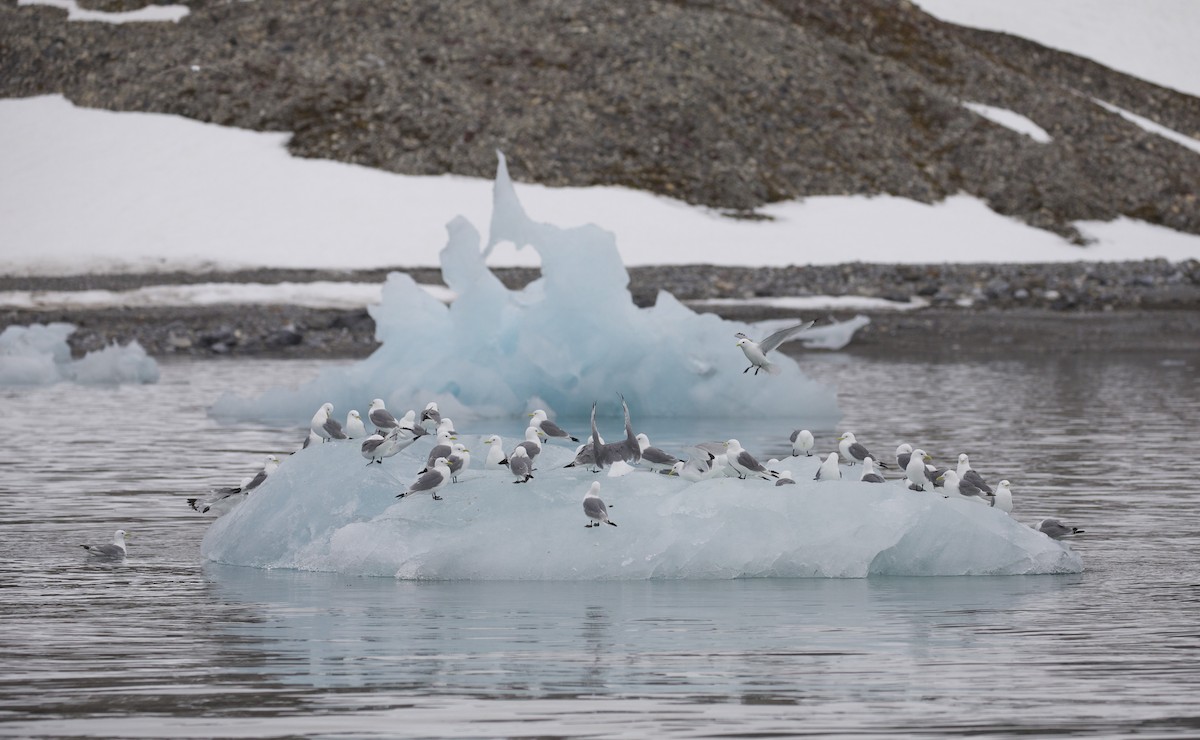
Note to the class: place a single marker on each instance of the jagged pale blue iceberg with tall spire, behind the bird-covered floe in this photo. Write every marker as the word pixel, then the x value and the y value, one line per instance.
pixel 568 339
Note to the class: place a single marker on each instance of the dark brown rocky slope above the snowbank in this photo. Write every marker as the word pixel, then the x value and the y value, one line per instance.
pixel 728 104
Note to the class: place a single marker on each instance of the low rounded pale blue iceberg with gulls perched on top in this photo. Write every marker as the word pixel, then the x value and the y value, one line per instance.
pixel 325 510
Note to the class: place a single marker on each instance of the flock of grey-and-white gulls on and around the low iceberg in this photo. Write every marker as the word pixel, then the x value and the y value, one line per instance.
pixel 448 459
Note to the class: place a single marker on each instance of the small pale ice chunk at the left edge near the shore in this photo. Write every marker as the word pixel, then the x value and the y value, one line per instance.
pixel 39 354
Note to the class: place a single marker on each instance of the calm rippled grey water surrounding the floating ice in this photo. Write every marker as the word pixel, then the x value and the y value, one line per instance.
pixel 167 646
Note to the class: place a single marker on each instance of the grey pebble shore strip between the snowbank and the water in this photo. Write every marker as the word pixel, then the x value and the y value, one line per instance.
pixel 1133 306
